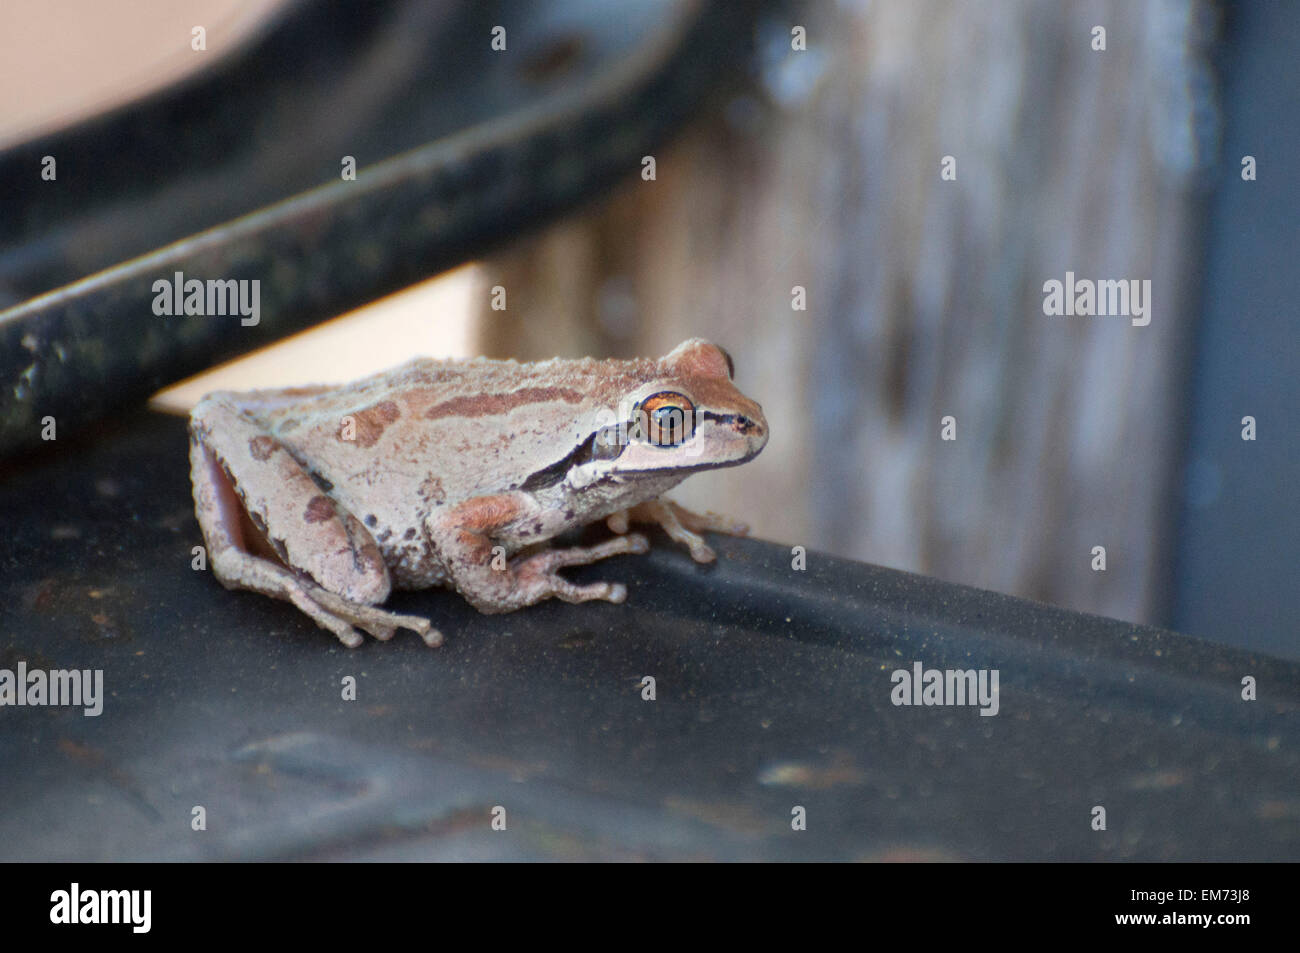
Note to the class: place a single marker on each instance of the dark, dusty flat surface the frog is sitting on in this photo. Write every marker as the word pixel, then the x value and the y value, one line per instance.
pixel 773 691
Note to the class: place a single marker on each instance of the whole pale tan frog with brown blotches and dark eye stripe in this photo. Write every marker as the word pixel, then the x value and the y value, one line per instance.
pixel 457 473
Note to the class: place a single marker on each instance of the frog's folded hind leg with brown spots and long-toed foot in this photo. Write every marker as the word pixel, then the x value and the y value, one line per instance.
pixel 270 529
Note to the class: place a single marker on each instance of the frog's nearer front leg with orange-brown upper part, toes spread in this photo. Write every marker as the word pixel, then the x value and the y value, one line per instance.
pixel 469 536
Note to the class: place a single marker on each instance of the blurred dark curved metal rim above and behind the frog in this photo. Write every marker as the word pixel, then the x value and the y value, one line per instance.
pixel 236 175
